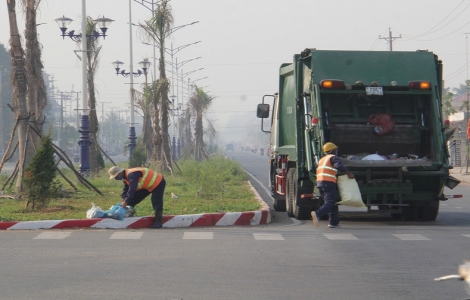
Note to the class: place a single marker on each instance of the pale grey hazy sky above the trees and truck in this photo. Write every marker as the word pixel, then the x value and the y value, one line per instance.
pixel 243 42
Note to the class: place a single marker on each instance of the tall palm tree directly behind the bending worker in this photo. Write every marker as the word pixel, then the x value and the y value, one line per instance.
pixel 157 29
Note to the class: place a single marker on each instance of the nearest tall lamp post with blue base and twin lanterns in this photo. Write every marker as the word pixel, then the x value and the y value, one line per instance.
pixel 84 130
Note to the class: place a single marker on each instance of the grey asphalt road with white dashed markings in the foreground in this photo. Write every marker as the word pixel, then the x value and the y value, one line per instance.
pixel 370 257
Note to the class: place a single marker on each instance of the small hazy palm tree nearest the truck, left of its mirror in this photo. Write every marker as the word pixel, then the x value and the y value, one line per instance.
pixel 199 103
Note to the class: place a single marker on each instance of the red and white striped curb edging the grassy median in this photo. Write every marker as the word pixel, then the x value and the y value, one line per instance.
pixel 252 218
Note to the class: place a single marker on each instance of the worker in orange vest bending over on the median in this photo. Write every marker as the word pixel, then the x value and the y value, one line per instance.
pixel 138 184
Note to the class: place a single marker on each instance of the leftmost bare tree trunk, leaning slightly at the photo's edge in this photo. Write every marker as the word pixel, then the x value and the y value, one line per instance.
pixel 19 81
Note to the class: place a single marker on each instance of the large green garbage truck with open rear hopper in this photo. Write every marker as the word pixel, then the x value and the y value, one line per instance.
pixel 381 108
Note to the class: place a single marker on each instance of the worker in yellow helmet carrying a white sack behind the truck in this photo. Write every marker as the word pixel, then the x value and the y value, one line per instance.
pixel 327 170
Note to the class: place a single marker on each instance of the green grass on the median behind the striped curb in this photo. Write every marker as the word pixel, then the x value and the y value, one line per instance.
pixel 218 185
